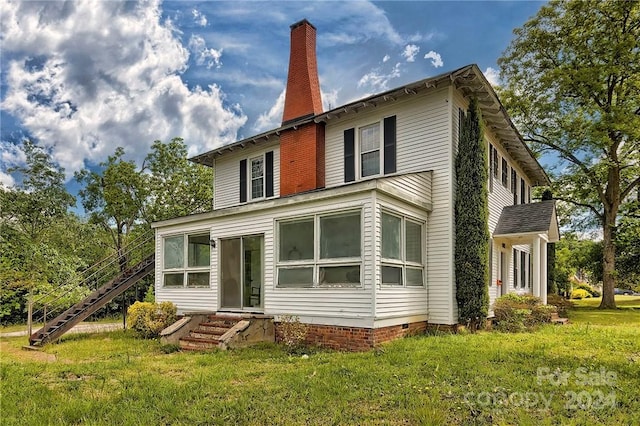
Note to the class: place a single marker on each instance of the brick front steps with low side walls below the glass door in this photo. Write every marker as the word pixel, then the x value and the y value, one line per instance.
pixel 203 332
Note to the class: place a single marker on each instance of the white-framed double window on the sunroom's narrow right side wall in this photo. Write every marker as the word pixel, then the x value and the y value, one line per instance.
pixel 402 251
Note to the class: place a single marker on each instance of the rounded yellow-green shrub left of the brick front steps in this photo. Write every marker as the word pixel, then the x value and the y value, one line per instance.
pixel 149 319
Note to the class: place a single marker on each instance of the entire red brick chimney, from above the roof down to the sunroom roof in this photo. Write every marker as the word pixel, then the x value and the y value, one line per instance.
pixel 302 148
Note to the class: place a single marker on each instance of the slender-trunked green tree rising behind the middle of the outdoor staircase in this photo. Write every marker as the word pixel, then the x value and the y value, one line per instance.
pixel 113 197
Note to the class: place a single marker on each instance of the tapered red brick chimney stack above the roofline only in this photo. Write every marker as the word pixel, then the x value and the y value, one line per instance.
pixel 303 87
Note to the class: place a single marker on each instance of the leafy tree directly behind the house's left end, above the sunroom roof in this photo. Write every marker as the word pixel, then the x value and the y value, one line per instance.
pixel 177 187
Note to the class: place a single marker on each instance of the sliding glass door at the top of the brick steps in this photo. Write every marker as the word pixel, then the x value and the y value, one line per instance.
pixel 241 273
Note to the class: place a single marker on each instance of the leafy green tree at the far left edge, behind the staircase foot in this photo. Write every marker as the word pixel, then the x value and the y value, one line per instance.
pixel 31 259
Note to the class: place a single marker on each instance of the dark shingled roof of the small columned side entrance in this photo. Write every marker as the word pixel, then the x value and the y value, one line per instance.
pixel 527 218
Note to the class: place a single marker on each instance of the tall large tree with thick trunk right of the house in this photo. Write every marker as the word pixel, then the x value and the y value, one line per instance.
pixel 572 86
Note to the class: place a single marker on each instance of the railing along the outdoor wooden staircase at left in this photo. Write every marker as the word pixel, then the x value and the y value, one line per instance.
pixel 55 302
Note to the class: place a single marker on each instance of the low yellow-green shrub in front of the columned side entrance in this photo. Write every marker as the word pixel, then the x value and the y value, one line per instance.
pixel 515 312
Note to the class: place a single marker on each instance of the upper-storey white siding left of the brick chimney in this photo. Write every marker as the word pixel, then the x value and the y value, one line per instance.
pixel 226 184
